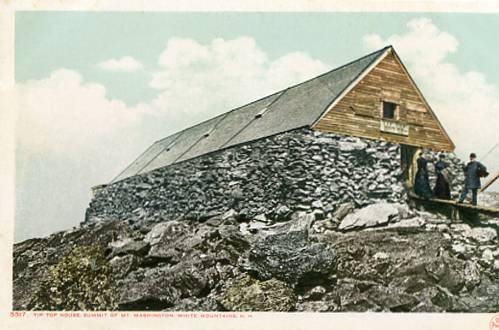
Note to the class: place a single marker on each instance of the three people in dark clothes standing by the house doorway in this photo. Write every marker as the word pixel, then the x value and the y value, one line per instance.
pixel 473 171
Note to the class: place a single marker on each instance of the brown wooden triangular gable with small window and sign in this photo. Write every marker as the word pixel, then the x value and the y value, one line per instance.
pixel 360 111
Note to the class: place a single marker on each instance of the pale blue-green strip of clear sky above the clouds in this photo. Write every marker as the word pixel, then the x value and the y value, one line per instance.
pixel 78 40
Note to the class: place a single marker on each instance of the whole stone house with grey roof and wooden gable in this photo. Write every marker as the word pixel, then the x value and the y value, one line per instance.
pixel 347 135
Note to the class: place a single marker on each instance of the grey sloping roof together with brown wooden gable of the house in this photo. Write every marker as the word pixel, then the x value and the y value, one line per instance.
pixel 372 97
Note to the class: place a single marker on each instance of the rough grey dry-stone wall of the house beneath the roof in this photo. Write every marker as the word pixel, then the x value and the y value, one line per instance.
pixel 301 170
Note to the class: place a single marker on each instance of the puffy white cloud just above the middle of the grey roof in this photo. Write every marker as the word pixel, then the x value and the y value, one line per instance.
pixel 200 80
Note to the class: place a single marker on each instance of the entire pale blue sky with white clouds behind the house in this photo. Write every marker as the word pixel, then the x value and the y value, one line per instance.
pixel 96 89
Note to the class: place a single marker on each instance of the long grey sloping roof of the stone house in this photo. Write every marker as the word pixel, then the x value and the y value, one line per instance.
pixel 297 106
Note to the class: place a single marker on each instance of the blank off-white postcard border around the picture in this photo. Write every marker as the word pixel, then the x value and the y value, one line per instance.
pixel 289 321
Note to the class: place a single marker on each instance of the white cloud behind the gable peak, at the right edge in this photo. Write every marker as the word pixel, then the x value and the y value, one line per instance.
pixel 465 102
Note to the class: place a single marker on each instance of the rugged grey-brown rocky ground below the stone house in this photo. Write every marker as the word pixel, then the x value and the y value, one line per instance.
pixel 380 257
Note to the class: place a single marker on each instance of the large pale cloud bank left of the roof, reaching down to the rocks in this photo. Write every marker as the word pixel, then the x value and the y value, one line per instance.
pixel 71 136
